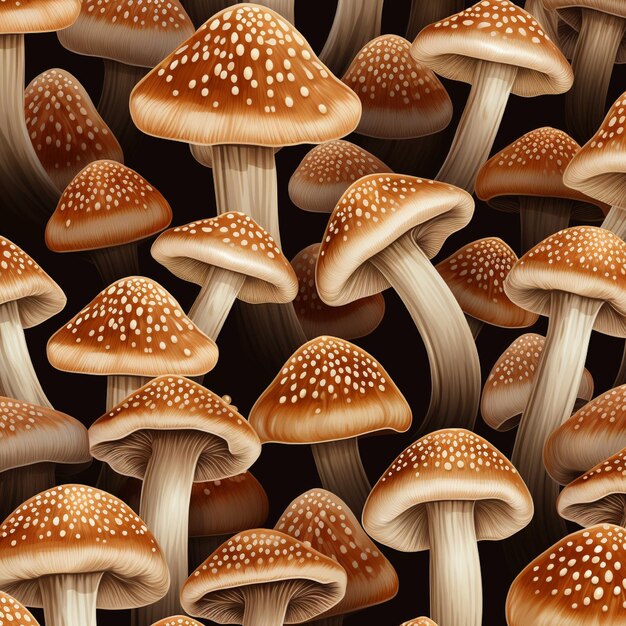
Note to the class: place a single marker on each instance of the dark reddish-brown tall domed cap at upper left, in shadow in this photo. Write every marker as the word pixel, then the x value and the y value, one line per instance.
pixel 65 127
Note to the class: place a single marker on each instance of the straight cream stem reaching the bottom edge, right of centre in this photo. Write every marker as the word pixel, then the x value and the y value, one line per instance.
pixel 455 578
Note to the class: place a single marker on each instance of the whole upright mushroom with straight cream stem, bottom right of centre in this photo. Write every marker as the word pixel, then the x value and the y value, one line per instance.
pixel 444 493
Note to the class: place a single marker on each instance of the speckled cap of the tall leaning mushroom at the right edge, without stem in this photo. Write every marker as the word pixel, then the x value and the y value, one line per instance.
pixel 585 260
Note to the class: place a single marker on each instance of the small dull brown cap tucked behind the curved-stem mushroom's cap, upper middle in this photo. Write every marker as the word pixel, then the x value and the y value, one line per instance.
pixel 327 171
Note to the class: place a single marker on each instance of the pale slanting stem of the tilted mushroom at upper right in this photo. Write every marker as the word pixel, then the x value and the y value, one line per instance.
pixel 477 129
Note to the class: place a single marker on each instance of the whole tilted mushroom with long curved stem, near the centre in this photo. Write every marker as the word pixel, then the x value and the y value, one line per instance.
pixel 383 232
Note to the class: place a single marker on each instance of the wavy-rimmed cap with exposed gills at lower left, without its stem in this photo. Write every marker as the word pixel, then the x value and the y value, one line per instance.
pixel 123 436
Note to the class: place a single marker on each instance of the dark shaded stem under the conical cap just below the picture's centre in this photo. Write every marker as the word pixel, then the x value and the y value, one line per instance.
pixel 341 471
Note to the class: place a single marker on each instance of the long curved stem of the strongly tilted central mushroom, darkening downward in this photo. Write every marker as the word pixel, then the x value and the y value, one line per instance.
pixel 454 364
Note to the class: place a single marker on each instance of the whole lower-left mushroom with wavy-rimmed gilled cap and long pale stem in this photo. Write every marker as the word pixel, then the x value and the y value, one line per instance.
pixel 171 433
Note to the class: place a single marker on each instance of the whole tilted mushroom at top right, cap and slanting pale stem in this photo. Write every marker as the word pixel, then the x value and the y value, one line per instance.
pixel 497 56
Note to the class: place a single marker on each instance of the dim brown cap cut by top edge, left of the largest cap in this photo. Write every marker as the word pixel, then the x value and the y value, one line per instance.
pixel 133 33
